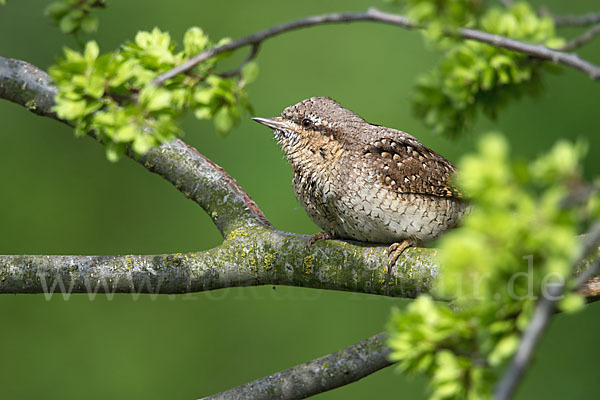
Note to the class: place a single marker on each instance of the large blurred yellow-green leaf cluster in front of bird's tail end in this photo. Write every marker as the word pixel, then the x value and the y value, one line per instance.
pixel 517 238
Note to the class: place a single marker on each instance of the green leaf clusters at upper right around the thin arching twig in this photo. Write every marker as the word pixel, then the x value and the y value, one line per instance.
pixel 475 77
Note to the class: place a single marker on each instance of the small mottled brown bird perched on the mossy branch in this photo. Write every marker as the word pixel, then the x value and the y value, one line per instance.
pixel 365 182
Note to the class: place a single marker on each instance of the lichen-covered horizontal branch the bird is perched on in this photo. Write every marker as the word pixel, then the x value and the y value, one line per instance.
pixel 250 256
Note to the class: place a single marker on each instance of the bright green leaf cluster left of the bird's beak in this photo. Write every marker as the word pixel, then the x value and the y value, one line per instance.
pixel 113 95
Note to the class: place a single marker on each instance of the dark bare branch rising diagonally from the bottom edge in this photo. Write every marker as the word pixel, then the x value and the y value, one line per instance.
pixel 329 372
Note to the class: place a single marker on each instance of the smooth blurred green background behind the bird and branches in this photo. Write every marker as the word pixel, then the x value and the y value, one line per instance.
pixel 61 196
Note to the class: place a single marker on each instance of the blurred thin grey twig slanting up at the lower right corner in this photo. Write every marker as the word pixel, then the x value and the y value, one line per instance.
pixel 543 312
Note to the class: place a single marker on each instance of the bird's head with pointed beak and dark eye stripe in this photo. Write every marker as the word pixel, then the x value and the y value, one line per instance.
pixel 316 128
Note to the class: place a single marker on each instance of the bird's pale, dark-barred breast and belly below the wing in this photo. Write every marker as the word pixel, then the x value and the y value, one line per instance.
pixel 347 199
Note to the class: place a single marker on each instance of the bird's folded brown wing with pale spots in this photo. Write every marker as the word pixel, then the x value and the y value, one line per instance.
pixel 405 165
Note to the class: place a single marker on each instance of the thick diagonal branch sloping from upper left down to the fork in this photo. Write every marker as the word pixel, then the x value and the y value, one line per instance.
pixel 194 175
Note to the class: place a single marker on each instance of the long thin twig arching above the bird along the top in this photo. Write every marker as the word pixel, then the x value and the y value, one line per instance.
pixel 374 15
